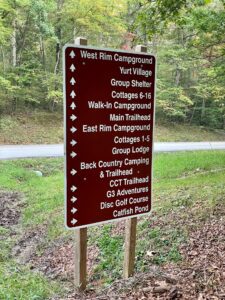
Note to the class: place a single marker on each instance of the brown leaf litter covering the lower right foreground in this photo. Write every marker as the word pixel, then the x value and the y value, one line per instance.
pixel 201 275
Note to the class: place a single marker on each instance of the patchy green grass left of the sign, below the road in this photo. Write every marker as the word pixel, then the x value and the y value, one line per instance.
pixel 16 281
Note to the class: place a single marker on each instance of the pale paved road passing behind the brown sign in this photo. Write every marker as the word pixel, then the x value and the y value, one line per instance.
pixel 28 151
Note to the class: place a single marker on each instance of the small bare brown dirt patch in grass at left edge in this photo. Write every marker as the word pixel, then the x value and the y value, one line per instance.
pixel 10 207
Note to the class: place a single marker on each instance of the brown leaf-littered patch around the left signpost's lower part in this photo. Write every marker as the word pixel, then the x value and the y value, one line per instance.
pixel 58 261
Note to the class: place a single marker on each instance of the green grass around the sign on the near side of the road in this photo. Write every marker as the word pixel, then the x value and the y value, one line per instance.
pixel 185 188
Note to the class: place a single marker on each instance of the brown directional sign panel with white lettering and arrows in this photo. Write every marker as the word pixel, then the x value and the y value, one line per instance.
pixel 109 116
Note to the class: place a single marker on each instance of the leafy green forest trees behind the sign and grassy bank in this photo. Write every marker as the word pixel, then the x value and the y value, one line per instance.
pixel 187 36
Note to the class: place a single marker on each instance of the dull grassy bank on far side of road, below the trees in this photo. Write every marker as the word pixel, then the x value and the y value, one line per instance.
pixel 47 128
